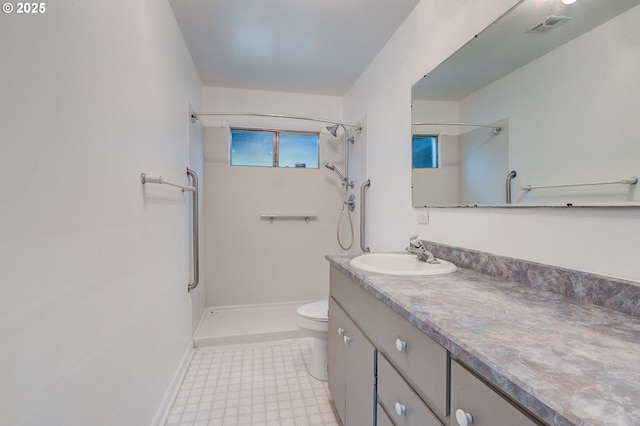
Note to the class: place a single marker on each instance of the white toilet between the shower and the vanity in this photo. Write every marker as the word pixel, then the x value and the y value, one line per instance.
pixel 313 320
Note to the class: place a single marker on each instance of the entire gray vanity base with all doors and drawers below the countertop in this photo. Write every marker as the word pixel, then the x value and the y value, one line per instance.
pixel 380 361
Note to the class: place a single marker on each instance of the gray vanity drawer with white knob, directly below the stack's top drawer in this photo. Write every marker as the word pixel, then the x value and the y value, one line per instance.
pixel 397 397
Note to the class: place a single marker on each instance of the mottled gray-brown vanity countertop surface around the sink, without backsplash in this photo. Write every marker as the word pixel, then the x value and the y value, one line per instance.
pixel 569 363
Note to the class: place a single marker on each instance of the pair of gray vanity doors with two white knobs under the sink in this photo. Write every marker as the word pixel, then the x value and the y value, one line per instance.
pixel 351 369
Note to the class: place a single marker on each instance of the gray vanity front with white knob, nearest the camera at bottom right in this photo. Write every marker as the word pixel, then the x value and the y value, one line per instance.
pixel 486 406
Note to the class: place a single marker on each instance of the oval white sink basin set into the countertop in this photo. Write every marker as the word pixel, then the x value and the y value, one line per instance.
pixel 400 264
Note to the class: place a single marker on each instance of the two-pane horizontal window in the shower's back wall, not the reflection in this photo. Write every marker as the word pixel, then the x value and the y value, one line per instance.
pixel 273 148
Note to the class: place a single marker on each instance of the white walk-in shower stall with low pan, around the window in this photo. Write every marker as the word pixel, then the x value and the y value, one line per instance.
pixel 266 234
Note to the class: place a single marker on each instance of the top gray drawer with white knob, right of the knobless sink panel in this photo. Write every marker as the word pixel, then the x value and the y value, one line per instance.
pixel 422 361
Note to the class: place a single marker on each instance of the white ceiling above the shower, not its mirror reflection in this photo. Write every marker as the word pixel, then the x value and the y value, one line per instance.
pixel 303 46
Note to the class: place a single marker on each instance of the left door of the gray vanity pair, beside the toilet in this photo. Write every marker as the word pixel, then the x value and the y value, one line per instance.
pixel 338 320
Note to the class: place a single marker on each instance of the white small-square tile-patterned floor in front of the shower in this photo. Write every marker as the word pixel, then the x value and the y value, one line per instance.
pixel 252 384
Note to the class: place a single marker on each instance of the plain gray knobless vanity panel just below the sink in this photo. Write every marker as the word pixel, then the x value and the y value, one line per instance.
pixel 355 300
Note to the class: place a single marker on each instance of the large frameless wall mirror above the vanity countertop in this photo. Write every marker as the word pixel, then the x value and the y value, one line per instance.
pixel 539 109
